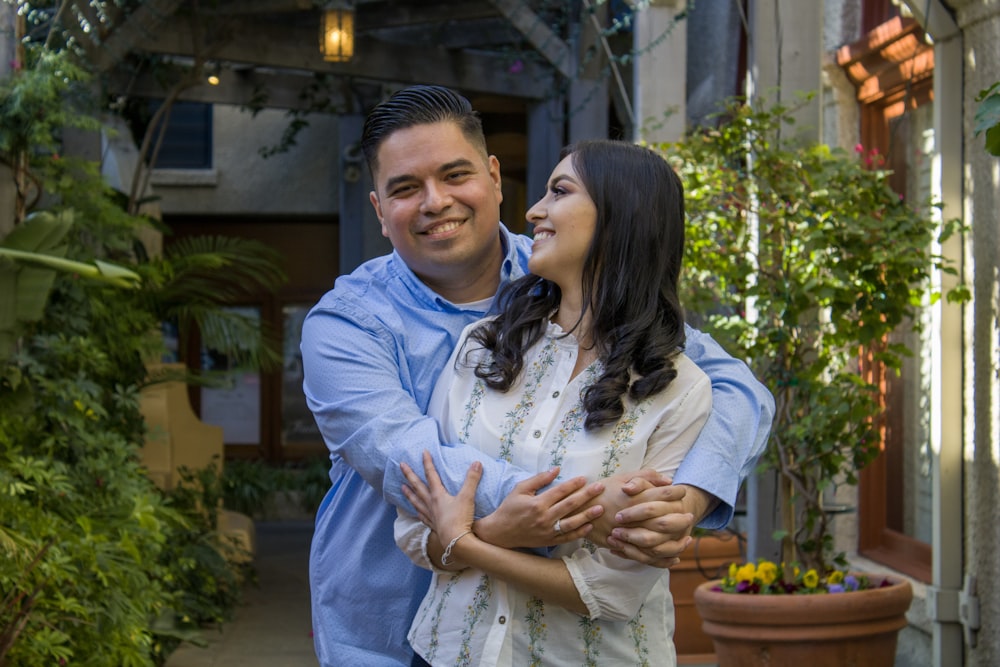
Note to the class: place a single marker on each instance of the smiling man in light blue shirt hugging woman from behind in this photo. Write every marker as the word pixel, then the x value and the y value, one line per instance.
pixel 373 347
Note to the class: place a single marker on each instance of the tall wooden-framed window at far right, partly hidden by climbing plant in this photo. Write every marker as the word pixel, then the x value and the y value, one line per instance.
pixel 892 68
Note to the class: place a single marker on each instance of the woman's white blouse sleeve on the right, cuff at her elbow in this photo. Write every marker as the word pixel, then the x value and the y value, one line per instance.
pixel 612 587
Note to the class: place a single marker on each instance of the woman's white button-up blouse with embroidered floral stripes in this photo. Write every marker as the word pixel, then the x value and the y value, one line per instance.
pixel 470 618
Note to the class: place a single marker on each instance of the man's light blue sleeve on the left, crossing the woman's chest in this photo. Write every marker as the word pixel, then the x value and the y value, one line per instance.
pixel 357 390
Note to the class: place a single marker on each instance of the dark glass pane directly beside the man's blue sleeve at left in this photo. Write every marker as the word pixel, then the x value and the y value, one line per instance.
pixel 297 423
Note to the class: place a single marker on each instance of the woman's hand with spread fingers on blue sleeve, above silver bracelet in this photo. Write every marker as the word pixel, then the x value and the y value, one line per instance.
pixel 447 515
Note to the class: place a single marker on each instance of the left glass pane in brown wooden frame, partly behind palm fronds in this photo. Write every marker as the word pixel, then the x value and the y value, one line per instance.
pixel 236 406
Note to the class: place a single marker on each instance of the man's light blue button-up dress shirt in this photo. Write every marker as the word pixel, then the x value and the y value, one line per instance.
pixel 372 349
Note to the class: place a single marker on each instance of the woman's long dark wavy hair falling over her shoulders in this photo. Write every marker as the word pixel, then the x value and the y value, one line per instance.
pixel 629 281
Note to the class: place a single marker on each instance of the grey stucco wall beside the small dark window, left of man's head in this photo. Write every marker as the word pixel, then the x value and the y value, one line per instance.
pixel 301 181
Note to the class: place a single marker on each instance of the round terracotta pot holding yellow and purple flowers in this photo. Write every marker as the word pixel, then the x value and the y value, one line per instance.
pixel 858 629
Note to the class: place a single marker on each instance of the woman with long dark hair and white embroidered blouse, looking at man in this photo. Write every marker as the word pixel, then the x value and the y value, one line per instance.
pixel 582 370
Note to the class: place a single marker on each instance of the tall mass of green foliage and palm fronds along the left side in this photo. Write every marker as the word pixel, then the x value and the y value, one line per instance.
pixel 97 566
